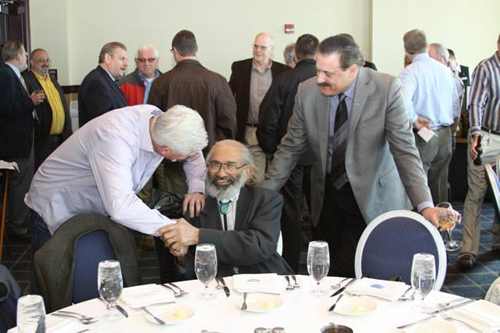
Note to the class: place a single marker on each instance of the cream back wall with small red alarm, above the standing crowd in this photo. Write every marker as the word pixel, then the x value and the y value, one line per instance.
pixel 74 31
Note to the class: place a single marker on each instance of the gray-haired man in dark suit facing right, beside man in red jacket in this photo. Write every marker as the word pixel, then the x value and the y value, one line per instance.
pixel 99 92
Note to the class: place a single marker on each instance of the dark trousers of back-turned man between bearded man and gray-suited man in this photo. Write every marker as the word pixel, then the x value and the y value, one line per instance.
pixel 298 185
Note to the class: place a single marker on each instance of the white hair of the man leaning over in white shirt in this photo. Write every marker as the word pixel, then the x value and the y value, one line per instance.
pixel 181 129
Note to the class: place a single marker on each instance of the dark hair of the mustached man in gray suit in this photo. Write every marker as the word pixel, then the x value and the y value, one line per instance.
pixel 346 47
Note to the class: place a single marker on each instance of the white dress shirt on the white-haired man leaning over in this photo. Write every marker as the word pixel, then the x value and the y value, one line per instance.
pixel 101 167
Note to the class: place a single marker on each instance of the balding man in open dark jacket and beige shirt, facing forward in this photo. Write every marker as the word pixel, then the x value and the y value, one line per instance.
pixel 250 80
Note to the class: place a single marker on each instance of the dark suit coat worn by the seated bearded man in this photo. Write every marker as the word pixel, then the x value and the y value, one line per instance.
pixel 251 247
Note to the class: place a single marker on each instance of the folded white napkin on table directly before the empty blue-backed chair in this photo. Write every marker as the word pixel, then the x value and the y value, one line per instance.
pixel 389 290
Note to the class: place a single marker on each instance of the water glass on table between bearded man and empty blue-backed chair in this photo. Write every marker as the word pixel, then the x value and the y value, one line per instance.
pixel 318 264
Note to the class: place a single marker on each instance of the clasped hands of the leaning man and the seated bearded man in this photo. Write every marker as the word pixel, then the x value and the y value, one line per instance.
pixel 179 235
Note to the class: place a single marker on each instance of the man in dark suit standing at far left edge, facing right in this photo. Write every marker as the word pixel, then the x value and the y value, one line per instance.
pixel 16 133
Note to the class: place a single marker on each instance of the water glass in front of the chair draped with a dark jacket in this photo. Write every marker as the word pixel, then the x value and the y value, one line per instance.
pixel 110 285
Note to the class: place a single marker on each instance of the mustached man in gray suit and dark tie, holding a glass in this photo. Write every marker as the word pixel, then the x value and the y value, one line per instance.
pixel 365 162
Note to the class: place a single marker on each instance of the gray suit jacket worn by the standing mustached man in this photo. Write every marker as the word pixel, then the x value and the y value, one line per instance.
pixel 381 155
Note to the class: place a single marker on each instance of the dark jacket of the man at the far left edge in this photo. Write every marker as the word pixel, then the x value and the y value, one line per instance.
pixel 16 116
